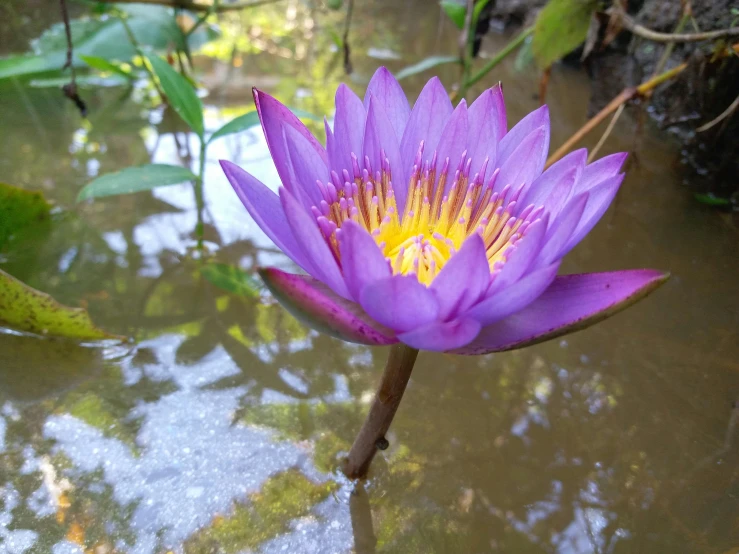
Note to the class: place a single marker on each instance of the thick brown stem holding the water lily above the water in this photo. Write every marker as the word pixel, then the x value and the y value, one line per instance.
pixel 371 436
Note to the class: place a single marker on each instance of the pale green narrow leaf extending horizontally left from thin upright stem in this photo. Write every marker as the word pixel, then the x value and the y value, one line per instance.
pixel 135 179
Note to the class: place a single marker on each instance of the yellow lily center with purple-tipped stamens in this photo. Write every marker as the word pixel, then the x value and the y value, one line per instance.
pixel 439 214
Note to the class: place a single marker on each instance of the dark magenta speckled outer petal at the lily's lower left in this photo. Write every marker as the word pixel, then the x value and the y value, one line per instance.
pixel 316 305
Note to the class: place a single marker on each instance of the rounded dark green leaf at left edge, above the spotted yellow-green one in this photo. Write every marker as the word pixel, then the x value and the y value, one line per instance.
pixel 20 209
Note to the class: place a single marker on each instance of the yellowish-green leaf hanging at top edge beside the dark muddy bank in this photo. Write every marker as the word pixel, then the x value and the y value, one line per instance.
pixel 560 28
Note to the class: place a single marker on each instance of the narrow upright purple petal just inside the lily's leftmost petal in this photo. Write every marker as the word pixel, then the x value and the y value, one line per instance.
pixel 313 245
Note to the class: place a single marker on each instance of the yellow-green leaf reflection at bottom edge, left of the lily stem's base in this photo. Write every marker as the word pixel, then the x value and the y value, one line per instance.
pixel 283 498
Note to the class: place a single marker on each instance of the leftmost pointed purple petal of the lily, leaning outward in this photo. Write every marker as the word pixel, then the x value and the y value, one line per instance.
pixel 264 207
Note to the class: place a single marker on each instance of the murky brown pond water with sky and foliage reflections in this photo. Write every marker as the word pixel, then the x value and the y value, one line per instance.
pixel 218 430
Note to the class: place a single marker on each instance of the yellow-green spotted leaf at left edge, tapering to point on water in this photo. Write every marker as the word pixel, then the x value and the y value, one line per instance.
pixel 26 309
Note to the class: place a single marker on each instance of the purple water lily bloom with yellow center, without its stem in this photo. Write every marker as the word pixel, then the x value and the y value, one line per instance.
pixel 436 227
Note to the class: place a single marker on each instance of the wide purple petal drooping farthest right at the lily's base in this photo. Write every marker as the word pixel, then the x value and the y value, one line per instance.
pixel 571 303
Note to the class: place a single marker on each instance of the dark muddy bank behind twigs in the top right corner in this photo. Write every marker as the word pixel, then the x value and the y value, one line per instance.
pixel 696 97
